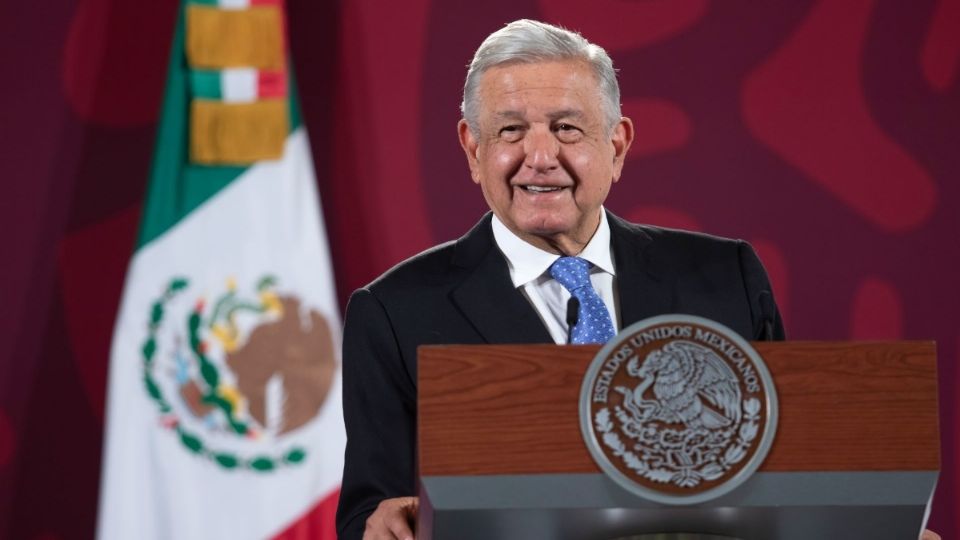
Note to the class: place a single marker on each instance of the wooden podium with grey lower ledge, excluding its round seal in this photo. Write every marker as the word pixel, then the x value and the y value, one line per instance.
pixel 501 456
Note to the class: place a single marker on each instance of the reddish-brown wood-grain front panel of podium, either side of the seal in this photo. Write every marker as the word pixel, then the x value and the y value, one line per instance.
pixel 508 409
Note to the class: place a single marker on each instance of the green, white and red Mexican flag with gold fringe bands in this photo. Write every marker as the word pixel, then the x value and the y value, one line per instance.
pixel 223 412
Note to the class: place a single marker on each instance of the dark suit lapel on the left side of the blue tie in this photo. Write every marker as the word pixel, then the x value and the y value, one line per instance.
pixel 487 297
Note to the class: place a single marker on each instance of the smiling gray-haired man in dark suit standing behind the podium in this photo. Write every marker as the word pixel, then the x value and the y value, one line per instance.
pixel 544 140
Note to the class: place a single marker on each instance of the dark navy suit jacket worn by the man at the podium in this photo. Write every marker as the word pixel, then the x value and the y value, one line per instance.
pixel 461 293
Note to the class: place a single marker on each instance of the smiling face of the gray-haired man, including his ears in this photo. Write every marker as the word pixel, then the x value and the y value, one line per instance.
pixel 544 155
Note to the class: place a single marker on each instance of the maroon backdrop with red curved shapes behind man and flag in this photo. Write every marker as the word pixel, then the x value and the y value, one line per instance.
pixel 823 132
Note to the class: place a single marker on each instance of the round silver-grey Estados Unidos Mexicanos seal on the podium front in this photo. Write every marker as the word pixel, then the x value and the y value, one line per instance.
pixel 678 409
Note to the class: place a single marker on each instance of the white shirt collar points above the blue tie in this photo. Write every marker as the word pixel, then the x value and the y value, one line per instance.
pixel 528 262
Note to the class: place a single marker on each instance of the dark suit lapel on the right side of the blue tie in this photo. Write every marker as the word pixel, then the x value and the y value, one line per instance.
pixel 643 291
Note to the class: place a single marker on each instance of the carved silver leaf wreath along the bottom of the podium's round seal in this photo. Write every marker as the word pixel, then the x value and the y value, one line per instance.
pixel 683 476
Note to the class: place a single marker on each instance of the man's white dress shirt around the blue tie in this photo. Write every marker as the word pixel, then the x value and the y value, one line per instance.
pixel 530 272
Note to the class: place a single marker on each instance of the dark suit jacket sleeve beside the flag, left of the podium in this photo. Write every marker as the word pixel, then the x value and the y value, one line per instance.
pixel 379 408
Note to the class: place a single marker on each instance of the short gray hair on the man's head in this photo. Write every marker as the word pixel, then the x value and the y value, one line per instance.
pixel 528 42
